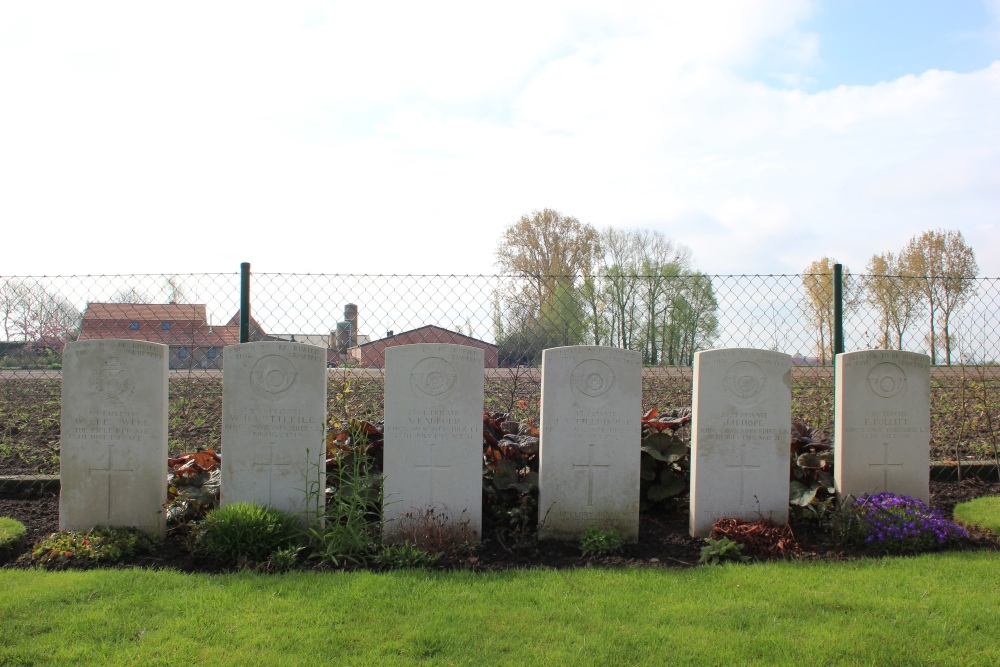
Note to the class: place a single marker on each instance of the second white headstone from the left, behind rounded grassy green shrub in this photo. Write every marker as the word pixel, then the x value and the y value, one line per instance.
pixel 273 425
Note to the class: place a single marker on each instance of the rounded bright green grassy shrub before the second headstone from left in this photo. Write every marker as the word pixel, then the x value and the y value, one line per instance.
pixel 245 534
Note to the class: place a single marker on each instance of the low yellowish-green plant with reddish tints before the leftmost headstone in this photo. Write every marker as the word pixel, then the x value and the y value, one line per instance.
pixel 98 545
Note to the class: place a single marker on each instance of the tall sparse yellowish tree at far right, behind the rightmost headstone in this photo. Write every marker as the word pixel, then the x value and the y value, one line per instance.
pixel 945 268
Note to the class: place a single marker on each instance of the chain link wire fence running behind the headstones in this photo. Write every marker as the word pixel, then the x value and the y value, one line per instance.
pixel 513 318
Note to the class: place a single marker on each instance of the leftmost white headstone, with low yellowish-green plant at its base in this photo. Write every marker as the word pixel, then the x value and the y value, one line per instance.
pixel 113 454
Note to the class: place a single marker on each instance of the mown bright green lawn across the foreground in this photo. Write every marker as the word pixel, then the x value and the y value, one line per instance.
pixel 931 610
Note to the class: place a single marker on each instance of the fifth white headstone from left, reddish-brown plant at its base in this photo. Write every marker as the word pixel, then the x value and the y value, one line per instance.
pixel 740 437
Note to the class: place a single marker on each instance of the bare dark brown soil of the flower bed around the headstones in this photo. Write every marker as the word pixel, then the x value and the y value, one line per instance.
pixel 663 537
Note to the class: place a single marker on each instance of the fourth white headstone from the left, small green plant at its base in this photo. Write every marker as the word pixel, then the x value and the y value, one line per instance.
pixel 590 447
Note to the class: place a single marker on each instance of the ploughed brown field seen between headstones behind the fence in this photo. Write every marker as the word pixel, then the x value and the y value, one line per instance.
pixel 964 411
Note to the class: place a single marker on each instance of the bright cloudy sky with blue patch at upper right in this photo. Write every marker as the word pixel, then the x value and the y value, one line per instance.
pixel 362 137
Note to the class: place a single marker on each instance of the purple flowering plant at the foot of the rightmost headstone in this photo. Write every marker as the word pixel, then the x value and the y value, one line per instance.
pixel 899 524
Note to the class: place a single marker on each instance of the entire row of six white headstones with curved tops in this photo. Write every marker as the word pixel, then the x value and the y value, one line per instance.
pixel 114 433
